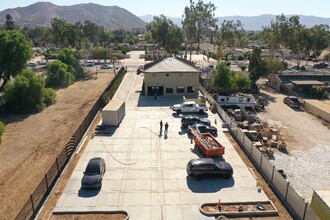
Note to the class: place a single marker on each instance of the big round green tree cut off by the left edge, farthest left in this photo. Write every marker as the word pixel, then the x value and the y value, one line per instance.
pixel 15 50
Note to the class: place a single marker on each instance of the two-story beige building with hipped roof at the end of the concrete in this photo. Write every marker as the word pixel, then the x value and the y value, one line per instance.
pixel 171 76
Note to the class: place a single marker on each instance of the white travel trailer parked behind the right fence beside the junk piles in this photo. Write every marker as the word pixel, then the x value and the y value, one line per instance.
pixel 237 99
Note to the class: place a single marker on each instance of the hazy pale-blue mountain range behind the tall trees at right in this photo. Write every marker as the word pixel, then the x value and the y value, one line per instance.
pixel 254 23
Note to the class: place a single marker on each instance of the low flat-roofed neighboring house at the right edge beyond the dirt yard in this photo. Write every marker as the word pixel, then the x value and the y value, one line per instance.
pixel 299 82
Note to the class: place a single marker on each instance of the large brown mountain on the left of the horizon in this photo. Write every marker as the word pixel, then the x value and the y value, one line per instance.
pixel 41 13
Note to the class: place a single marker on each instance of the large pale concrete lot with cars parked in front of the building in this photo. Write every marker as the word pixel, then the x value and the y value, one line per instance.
pixel 146 173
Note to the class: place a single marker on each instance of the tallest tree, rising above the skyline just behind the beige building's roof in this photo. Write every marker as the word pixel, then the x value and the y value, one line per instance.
pixel 198 18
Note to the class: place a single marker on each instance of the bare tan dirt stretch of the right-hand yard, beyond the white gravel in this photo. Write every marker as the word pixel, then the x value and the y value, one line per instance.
pixel 300 130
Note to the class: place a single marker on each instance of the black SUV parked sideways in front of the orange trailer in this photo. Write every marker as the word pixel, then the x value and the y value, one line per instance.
pixel 209 167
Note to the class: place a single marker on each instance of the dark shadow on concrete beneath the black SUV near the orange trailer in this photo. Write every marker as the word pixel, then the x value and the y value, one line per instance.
pixel 208 184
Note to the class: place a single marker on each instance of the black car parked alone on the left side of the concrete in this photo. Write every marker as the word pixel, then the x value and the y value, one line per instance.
pixel 93 174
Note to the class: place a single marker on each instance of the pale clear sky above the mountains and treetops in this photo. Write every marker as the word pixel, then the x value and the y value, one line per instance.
pixel 174 8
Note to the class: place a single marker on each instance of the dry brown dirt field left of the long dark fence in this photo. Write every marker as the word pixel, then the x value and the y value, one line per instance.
pixel 31 142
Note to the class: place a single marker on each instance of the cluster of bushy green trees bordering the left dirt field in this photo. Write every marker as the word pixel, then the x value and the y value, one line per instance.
pixel 29 92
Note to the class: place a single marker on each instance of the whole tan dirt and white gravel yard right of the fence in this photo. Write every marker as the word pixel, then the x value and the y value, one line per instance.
pixel 308 143
